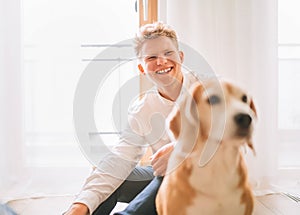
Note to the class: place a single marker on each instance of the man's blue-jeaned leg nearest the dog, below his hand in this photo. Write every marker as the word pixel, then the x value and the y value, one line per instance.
pixel 144 203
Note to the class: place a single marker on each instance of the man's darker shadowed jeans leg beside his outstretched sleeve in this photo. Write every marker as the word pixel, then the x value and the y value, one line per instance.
pixel 132 186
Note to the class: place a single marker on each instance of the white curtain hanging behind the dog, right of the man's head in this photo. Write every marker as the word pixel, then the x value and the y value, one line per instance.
pixel 239 40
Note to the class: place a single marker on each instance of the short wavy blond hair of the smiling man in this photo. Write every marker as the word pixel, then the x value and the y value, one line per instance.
pixel 152 31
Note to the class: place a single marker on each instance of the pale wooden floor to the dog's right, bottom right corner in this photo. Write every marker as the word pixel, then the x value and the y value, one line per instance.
pixel 276 204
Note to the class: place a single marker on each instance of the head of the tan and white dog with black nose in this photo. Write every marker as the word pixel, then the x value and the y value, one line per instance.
pixel 216 110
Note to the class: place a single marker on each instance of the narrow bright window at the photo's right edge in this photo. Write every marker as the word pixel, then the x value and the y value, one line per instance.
pixel 288 81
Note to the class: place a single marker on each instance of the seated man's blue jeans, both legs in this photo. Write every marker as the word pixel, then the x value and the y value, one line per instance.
pixel 139 190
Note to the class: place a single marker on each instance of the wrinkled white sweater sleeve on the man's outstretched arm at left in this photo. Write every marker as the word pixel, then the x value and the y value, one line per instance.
pixel 112 170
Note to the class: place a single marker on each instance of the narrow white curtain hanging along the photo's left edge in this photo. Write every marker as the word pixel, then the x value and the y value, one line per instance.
pixel 10 94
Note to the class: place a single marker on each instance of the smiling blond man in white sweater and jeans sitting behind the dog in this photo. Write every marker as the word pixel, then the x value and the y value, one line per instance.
pixel 160 60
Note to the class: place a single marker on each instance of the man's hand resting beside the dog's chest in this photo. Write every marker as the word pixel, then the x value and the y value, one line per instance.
pixel 159 160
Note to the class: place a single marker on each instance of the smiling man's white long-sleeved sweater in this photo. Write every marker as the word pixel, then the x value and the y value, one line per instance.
pixel 146 127
